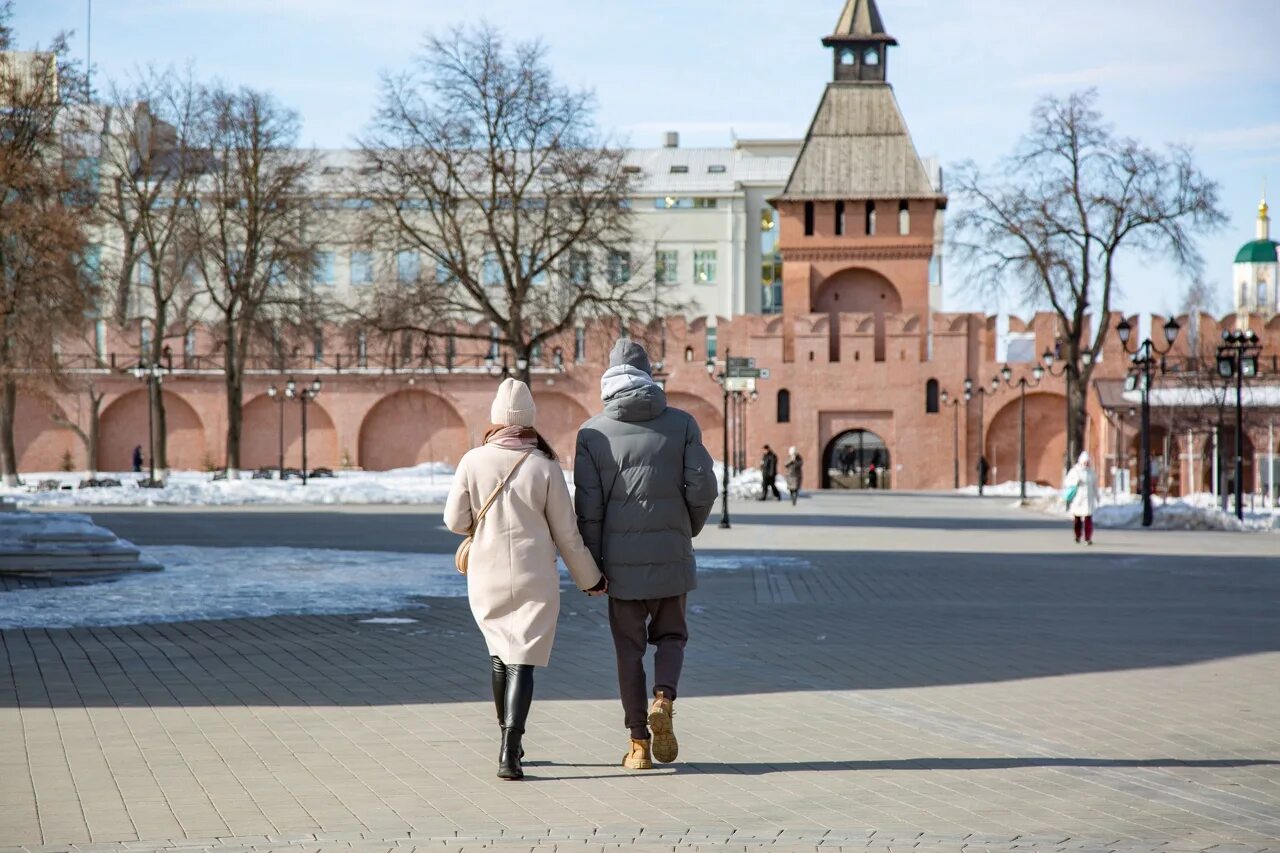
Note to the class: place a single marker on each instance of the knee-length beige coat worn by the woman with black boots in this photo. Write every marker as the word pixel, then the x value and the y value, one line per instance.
pixel 513 582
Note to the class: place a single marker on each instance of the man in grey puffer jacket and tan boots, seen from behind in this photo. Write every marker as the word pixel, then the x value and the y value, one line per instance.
pixel 644 487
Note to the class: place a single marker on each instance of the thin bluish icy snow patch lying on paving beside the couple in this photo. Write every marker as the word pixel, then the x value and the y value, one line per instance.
pixel 234 583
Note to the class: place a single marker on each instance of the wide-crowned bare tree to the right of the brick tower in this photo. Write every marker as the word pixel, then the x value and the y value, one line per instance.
pixel 1063 211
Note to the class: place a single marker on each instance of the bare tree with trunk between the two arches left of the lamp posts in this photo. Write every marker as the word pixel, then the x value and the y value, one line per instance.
pixel 255 239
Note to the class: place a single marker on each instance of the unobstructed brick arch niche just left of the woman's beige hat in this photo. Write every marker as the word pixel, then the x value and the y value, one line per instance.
pixel 410 428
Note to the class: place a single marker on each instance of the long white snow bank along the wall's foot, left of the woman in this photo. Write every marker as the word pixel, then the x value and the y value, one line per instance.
pixel 427 483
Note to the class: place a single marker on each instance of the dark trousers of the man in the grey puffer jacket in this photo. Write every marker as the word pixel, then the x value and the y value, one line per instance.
pixel 637 624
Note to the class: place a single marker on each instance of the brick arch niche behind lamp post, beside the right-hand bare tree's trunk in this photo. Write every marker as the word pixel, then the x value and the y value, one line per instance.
pixel 1046 440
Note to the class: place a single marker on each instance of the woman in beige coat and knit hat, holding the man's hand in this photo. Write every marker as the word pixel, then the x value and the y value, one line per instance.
pixel 513 582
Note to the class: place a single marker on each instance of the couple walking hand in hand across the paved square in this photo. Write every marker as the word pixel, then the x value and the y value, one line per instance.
pixel 644 487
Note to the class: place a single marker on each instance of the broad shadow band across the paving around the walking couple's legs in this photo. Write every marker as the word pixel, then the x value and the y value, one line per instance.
pixel 862 621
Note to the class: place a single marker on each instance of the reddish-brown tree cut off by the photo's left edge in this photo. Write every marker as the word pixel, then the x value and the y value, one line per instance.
pixel 47 175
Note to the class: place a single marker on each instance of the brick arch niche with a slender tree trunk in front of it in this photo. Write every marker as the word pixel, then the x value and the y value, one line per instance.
pixel 125 426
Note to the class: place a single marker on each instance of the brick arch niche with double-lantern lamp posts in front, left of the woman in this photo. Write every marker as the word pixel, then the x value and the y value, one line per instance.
pixel 260 435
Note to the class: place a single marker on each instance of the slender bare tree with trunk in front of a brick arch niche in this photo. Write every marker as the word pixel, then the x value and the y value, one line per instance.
pixel 152 168
